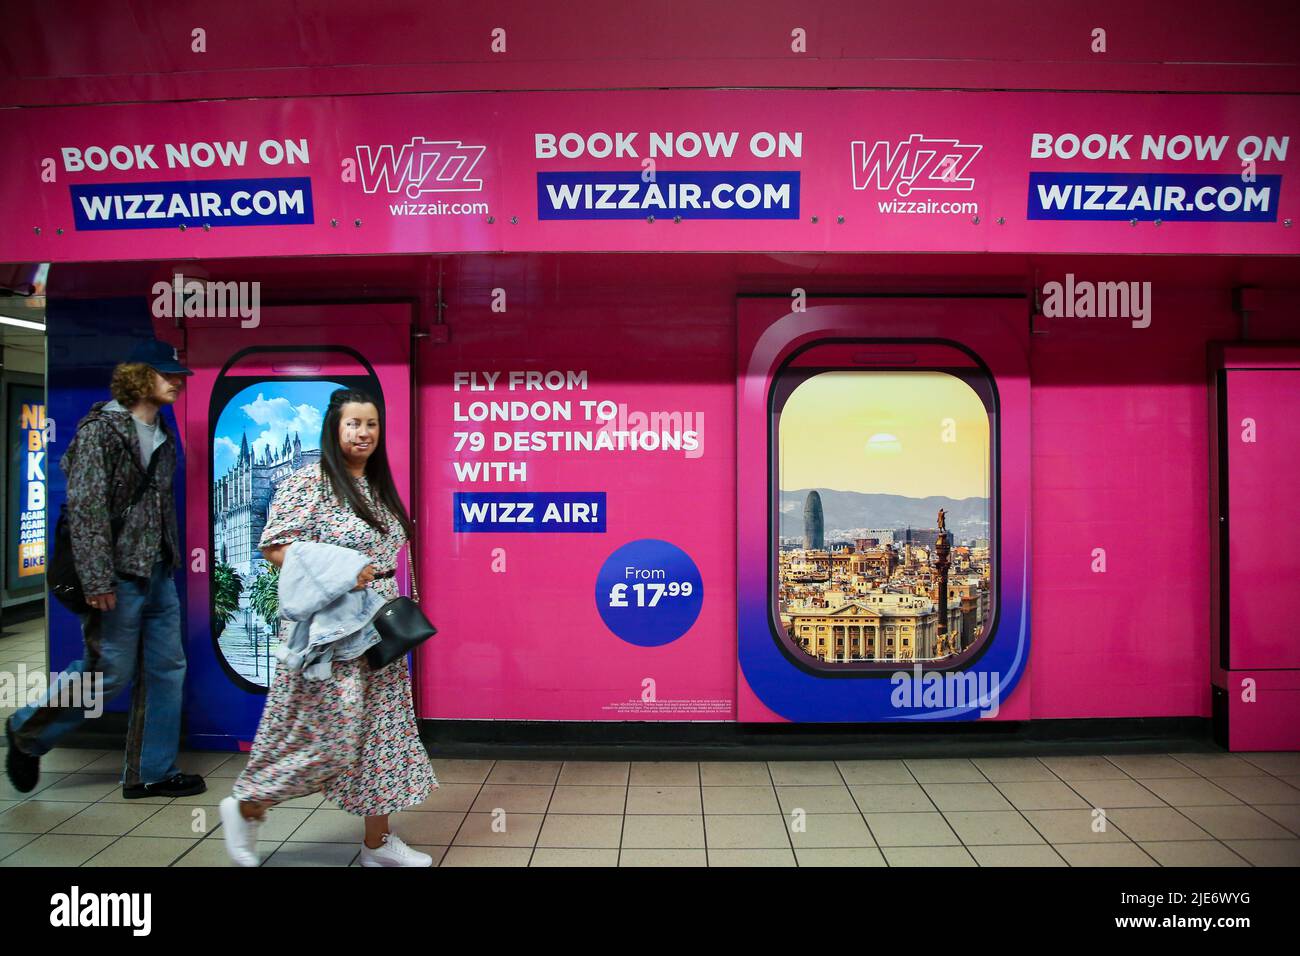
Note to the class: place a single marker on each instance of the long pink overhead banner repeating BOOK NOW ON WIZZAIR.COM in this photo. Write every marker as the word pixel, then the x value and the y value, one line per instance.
pixel 671 171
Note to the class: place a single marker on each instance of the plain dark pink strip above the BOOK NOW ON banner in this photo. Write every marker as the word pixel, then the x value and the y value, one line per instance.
pixel 71 53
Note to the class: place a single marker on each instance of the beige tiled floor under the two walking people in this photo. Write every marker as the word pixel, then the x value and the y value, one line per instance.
pixel 1181 810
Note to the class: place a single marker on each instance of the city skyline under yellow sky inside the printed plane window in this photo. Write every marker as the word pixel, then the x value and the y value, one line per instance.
pixel 883 542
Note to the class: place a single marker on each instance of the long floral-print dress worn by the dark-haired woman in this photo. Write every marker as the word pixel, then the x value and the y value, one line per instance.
pixel 353 736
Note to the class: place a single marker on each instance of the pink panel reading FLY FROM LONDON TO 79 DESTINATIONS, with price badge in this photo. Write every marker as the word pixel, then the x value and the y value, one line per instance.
pixel 580 517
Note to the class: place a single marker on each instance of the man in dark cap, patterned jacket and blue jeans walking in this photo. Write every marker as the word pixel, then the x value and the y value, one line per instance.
pixel 120 465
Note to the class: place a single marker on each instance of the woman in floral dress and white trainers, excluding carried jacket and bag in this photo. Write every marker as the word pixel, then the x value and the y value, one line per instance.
pixel 354 733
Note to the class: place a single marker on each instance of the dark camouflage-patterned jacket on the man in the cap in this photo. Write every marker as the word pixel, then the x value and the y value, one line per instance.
pixel 102 482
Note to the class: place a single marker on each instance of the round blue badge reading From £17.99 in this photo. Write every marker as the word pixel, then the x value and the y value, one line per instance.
pixel 649 592
